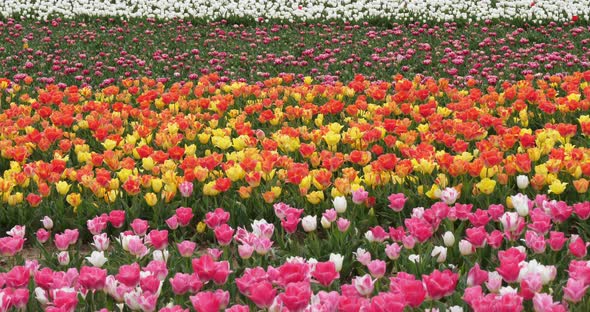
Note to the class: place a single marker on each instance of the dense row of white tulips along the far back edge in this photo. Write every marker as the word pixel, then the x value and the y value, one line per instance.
pixel 350 10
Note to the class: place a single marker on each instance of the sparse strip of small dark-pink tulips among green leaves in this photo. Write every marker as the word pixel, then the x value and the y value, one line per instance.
pixel 73 52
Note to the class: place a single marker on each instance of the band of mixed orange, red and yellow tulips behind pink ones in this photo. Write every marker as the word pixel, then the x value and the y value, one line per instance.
pixel 141 143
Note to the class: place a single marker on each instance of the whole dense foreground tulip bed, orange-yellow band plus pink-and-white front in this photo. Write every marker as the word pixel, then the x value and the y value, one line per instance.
pixel 291 196
